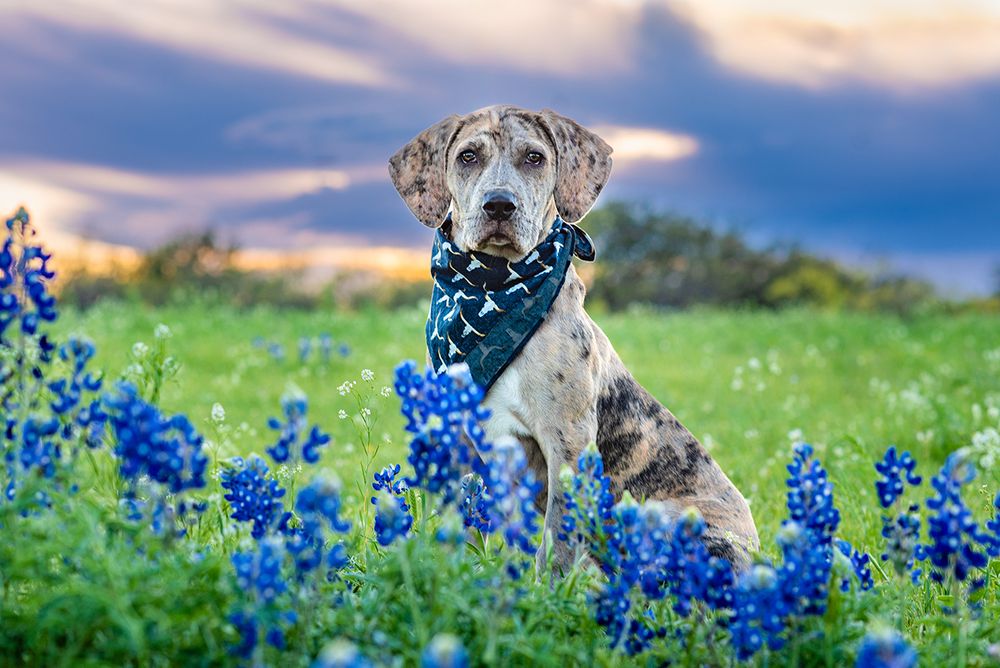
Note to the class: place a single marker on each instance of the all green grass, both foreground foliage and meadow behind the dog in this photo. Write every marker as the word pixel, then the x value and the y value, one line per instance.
pixel 746 383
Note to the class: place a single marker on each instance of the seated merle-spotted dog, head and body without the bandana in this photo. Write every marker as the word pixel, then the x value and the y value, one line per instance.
pixel 500 176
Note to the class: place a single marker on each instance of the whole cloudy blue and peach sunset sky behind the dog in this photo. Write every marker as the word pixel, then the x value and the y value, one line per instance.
pixel 864 130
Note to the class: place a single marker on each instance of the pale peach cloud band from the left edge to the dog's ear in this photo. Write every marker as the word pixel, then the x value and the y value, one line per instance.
pixel 142 208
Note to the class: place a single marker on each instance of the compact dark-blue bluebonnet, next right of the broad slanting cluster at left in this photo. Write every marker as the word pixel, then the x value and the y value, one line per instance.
pixel 253 496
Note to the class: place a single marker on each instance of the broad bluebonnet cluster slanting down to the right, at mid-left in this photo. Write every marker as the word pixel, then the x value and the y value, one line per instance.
pixel 168 450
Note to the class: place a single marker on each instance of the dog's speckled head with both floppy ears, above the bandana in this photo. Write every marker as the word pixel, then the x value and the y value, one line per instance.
pixel 504 173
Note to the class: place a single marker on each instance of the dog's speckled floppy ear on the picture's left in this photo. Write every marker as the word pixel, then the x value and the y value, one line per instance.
pixel 418 172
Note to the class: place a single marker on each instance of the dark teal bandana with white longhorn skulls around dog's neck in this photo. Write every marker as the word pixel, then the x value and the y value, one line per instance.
pixel 484 309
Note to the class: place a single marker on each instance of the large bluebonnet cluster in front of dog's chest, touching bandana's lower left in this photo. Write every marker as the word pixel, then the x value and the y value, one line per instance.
pixel 443 415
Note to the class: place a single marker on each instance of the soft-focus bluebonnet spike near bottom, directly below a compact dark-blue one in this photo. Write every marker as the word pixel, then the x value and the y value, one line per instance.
pixel 258 575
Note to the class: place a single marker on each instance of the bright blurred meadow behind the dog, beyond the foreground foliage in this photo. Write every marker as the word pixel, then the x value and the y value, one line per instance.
pixel 746 383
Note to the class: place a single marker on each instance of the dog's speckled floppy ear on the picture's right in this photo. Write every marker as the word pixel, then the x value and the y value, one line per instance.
pixel 583 165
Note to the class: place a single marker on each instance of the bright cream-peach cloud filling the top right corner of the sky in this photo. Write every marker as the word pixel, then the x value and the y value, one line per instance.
pixel 897 44
